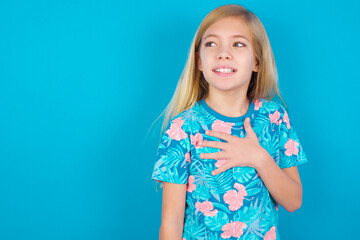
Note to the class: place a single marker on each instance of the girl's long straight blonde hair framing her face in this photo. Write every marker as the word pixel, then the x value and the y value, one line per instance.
pixel 192 86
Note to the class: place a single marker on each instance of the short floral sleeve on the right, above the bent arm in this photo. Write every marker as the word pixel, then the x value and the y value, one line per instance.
pixel 291 151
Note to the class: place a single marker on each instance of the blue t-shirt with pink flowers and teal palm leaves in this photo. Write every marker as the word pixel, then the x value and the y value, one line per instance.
pixel 234 204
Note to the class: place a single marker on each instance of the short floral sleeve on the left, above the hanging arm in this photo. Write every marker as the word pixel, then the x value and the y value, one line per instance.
pixel 173 154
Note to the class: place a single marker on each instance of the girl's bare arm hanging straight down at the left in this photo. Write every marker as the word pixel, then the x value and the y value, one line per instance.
pixel 173 210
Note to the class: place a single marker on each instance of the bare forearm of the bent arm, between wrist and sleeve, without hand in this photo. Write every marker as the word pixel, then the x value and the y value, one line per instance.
pixel 284 184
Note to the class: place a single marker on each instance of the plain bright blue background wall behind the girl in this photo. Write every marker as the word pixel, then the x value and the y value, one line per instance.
pixel 82 81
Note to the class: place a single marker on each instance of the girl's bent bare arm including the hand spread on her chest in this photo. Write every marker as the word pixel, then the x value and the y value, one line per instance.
pixel 284 184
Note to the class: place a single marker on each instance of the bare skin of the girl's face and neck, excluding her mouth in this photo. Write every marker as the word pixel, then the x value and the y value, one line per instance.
pixel 227 95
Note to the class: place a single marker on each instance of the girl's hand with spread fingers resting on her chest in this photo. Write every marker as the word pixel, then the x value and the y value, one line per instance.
pixel 237 151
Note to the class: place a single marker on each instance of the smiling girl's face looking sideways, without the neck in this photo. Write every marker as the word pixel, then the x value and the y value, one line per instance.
pixel 226 44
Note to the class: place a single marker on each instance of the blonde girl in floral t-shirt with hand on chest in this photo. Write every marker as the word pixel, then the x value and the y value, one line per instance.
pixel 229 154
